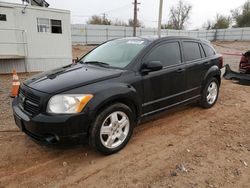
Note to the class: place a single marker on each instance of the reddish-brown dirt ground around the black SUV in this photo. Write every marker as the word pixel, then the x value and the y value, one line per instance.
pixel 187 147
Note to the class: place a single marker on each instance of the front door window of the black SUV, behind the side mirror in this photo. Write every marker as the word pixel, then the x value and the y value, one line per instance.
pixel 168 54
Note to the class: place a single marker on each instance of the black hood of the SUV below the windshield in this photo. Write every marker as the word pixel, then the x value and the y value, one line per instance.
pixel 69 77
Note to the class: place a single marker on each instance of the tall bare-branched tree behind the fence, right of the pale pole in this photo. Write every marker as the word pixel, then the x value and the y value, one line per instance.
pixel 179 15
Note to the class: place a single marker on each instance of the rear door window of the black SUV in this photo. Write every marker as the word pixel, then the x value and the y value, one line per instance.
pixel 191 51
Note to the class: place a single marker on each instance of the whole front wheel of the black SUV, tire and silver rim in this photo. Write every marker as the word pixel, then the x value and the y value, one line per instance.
pixel 112 129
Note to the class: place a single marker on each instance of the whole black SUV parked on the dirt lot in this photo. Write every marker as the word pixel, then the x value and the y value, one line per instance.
pixel 114 86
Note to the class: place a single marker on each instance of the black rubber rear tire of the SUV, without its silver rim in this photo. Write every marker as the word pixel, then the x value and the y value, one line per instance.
pixel 204 103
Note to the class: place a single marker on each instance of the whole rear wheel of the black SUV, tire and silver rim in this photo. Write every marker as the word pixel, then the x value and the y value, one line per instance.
pixel 211 88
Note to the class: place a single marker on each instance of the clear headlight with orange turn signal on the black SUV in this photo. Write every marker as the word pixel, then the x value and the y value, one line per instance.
pixel 68 104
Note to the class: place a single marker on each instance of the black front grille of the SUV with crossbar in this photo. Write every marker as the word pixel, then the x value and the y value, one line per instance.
pixel 29 102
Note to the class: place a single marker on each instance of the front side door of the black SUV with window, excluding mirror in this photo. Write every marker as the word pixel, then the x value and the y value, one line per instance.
pixel 164 88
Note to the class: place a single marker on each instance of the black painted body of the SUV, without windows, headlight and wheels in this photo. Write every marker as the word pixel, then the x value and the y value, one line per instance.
pixel 144 92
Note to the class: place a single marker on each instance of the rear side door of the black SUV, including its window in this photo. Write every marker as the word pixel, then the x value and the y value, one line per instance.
pixel 196 66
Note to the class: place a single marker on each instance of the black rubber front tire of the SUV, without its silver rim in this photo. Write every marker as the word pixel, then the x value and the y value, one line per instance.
pixel 94 137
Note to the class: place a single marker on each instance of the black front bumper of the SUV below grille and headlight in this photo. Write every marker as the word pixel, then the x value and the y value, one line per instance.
pixel 49 128
